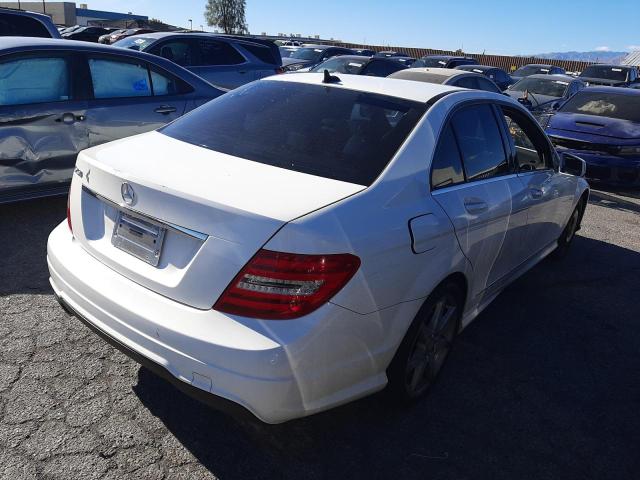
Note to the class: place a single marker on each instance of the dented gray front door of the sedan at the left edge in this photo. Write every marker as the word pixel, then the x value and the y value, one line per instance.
pixel 42 123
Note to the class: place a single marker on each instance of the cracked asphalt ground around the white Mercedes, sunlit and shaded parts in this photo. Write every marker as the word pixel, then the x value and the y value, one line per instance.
pixel 543 385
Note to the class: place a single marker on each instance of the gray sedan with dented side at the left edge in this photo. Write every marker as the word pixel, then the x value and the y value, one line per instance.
pixel 60 97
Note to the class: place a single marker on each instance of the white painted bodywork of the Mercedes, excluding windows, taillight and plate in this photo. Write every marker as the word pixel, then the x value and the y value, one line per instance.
pixel 408 239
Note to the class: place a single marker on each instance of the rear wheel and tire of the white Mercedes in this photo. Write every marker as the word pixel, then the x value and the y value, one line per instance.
pixel 426 345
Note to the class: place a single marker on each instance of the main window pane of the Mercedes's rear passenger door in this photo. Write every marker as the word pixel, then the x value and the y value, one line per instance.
pixel 480 142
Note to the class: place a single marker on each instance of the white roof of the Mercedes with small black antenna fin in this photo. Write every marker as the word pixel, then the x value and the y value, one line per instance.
pixel 405 89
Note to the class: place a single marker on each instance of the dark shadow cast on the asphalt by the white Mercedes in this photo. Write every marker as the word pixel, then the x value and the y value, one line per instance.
pixel 541 385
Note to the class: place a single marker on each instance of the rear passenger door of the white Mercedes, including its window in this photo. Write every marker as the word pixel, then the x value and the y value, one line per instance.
pixel 482 202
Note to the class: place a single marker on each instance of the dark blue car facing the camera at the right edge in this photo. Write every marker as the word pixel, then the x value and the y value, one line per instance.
pixel 602 126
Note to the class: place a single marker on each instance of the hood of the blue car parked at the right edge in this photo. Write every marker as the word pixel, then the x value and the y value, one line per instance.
pixel 594 125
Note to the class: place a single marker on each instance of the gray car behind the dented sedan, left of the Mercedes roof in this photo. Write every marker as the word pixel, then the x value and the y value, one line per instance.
pixel 223 60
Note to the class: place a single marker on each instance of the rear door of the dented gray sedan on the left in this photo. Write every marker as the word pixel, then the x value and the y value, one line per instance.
pixel 129 97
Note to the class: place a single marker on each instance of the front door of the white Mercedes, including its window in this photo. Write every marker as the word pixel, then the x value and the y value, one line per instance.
pixel 548 195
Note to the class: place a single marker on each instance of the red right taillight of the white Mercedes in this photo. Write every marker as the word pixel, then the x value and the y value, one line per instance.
pixel 282 286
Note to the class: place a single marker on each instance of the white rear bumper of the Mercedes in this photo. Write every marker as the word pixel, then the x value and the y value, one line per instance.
pixel 275 370
